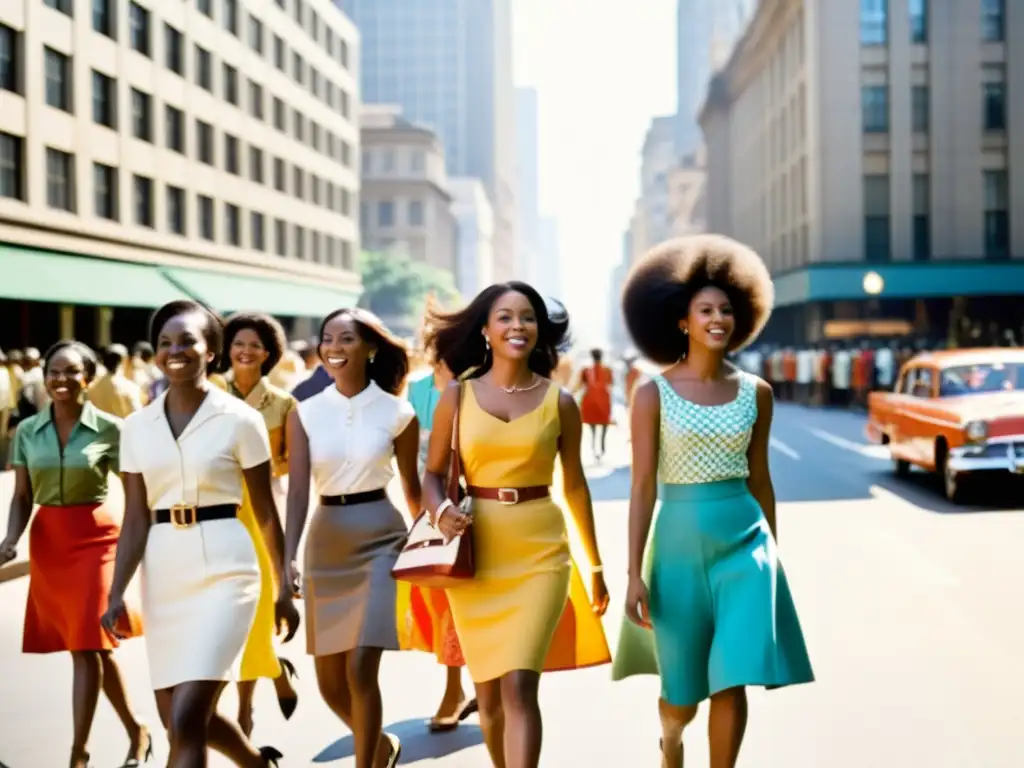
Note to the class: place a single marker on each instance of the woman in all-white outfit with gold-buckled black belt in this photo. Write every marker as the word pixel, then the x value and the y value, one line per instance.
pixel 185 458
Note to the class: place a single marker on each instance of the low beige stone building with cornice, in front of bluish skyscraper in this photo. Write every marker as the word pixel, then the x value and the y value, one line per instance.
pixel 406 203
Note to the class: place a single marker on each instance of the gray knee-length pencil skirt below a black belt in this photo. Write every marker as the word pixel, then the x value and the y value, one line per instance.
pixel 351 598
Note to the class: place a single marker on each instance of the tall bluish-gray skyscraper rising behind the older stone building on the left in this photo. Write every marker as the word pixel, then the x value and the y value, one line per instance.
pixel 449 65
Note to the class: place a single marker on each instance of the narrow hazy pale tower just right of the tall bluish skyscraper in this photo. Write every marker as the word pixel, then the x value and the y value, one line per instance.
pixel 529 260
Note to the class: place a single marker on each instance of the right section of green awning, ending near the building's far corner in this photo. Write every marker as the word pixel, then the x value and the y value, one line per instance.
pixel 284 298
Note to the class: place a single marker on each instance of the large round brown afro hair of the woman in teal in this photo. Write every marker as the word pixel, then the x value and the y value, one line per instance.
pixel 660 288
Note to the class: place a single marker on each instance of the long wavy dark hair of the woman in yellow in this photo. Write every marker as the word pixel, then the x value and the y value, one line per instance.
pixel 456 338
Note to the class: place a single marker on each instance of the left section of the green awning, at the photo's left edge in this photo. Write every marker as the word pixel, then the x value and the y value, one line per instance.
pixel 33 275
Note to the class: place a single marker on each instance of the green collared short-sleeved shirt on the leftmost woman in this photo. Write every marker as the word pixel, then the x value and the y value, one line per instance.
pixel 80 475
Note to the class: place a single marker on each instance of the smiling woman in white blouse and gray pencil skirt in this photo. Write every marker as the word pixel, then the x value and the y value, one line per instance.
pixel 346 438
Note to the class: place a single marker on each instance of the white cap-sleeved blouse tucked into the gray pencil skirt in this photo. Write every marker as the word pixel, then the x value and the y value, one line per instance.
pixel 352 440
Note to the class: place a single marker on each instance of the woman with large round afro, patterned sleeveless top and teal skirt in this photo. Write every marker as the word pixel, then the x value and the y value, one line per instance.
pixel 709 610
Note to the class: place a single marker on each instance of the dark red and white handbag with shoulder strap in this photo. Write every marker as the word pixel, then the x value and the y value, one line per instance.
pixel 429 560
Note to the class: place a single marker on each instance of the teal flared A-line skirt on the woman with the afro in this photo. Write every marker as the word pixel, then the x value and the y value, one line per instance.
pixel 720 605
